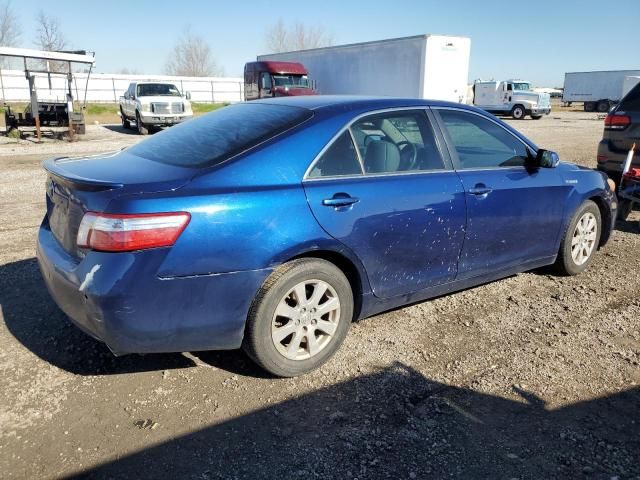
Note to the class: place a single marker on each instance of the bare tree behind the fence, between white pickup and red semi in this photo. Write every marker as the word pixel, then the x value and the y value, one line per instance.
pixel 191 57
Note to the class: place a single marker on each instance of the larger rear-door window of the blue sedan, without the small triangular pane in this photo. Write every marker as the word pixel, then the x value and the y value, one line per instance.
pixel 400 141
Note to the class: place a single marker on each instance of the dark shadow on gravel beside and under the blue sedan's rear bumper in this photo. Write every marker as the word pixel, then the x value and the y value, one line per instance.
pixel 33 318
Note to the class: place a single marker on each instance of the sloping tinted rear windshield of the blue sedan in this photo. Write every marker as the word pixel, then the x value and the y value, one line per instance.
pixel 217 136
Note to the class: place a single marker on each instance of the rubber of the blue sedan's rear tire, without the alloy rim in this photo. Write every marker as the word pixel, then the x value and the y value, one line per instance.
pixel 258 342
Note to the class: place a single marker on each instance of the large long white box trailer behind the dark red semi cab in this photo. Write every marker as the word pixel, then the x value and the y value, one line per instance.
pixel 423 66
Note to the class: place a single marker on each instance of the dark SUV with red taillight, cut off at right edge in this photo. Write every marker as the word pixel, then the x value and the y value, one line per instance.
pixel 621 131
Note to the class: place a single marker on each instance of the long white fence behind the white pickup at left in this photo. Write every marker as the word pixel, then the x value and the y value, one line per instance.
pixel 107 88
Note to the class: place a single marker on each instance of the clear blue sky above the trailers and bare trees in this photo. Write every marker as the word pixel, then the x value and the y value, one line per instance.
pixel 538 40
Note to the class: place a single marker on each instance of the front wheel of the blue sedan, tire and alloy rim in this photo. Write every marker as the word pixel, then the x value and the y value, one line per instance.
pixel 580 240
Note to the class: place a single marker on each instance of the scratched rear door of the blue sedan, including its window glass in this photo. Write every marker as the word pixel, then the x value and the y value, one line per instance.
pixel 383 188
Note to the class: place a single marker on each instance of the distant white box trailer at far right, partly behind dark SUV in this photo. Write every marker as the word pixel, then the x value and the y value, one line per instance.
pixel 598 90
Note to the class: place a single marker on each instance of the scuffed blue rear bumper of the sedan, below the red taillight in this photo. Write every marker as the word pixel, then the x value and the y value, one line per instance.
pixel 118 299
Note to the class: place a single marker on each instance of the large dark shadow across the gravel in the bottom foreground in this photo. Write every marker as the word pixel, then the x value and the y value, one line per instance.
pixel 396 423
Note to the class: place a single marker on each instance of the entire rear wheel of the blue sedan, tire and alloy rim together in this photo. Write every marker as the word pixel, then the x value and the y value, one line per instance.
pixel 280 344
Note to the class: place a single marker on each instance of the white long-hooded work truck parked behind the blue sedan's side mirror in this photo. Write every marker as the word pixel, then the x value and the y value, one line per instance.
pixel 511 97
